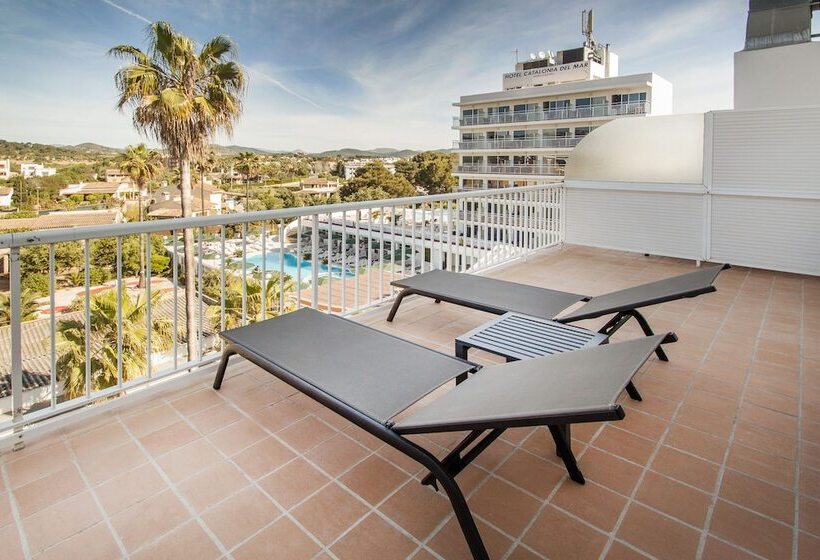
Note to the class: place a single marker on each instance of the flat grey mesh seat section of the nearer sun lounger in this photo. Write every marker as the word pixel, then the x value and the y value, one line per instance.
pixel 373 372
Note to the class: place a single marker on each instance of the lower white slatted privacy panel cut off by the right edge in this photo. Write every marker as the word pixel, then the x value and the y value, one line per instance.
pixel 764 232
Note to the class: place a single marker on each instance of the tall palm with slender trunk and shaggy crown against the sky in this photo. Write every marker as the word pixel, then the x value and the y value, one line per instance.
pixel 182 99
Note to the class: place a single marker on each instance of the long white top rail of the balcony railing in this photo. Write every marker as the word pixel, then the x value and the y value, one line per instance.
pixel 59 235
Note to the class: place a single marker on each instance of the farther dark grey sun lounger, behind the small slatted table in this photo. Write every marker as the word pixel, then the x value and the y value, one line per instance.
pixel 500 296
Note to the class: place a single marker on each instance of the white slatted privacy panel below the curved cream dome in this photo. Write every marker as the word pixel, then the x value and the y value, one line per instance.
pixel 656 222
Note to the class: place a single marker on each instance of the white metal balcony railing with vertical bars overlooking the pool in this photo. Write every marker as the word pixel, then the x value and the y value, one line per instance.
pixel 89 339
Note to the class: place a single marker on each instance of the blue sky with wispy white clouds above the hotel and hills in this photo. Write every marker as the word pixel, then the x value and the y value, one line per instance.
pixel 328 74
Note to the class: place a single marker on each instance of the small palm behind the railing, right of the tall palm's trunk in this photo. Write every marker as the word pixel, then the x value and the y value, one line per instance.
pixel 254 300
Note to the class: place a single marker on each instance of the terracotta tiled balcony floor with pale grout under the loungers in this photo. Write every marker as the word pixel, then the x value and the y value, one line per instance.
pixel 721 459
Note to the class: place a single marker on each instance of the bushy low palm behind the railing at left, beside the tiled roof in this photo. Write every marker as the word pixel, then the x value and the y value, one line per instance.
pixel 103 343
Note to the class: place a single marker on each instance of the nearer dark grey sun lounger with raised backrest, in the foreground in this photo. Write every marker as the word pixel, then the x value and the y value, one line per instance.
pixel 373 380
